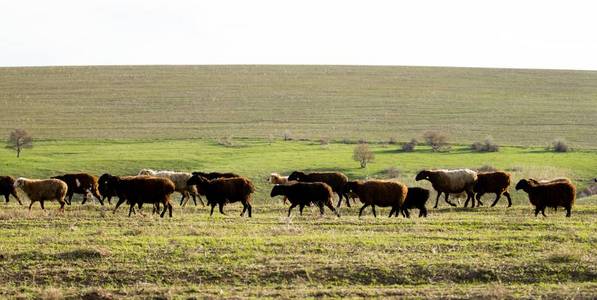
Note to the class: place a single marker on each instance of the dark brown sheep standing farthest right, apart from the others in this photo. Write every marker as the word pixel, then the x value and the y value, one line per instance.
pixel 554 194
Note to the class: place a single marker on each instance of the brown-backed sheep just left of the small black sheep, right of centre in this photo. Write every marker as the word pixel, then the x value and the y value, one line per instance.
pixel 380 193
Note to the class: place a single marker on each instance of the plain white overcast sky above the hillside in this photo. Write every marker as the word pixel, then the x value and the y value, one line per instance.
pixel 517 34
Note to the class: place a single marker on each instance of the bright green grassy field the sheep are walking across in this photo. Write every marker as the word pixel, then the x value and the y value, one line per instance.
pixel 456 252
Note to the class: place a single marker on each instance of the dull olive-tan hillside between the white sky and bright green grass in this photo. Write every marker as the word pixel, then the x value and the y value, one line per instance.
pixel 516 107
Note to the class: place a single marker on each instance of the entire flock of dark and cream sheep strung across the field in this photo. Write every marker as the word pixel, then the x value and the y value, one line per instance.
pixel 300 189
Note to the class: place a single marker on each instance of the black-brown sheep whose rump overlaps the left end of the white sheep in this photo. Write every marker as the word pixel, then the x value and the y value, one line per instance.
pixel 142 189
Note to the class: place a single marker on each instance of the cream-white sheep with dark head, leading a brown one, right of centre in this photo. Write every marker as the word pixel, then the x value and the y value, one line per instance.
pixel 450 182
